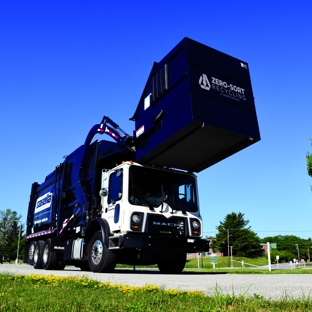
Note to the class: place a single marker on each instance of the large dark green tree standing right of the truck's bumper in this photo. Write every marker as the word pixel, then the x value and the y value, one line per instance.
pixel 233 231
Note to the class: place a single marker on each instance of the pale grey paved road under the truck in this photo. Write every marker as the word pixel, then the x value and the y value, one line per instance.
pixel 273 286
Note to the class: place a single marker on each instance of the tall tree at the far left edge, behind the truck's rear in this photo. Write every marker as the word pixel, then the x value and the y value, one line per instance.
pixel 10 229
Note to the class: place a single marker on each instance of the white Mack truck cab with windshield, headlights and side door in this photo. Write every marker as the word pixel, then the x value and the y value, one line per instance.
pixel 141 199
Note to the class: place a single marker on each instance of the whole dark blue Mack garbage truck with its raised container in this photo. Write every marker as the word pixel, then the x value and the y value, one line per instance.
pixel 132 199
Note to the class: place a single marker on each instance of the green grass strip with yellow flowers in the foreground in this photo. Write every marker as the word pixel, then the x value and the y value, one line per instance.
pixel 54 293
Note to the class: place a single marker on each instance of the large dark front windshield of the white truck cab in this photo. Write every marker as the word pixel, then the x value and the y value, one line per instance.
pixel 155 188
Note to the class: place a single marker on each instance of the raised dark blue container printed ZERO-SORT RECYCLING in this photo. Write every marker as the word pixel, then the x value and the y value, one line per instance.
pixel 197 108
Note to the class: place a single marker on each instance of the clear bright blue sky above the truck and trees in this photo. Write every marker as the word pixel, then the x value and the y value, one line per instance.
pixel 65 64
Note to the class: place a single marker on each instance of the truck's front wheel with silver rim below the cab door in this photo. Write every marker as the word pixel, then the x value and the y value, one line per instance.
pixel 100 258
